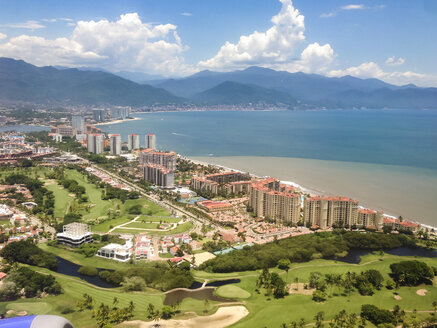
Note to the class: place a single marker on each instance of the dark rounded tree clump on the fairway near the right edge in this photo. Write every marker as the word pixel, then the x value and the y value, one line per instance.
pixel 411 273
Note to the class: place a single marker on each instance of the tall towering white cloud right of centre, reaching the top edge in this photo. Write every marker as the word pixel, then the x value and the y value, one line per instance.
pixel 275 48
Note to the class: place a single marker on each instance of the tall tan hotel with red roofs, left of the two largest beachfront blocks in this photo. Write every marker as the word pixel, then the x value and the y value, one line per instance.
pixel 269 199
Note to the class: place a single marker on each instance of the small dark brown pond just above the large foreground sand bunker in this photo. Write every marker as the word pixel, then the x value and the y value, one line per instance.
pixel 177 296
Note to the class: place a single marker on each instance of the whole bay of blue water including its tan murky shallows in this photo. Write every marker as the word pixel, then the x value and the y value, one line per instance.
pixel 387 159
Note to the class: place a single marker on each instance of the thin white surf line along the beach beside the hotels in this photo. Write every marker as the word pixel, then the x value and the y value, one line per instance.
pixel 305 188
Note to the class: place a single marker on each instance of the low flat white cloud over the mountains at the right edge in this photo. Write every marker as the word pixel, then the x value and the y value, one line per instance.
pixel 373 70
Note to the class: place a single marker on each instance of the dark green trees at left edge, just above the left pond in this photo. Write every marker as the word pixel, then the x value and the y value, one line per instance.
pixel 28 253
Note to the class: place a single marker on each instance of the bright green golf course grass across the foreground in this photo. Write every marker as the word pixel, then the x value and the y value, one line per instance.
pixel 263 311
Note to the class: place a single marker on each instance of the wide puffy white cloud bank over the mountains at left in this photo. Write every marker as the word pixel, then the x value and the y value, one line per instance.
pixel 124 44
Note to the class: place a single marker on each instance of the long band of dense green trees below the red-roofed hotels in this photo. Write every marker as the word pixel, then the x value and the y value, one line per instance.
pixel 302 248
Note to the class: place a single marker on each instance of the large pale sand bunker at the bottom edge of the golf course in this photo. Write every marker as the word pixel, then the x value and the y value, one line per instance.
pixel 224 317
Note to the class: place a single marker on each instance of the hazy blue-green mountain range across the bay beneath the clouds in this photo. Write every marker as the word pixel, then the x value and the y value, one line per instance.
pixel 20 81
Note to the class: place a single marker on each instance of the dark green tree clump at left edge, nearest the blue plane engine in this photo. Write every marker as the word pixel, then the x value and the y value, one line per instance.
pixel 32 283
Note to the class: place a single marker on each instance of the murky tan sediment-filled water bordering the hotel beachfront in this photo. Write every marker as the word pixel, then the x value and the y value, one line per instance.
pixel 397 190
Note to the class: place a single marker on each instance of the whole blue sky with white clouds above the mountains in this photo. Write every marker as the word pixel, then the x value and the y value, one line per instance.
pixel 392 40
